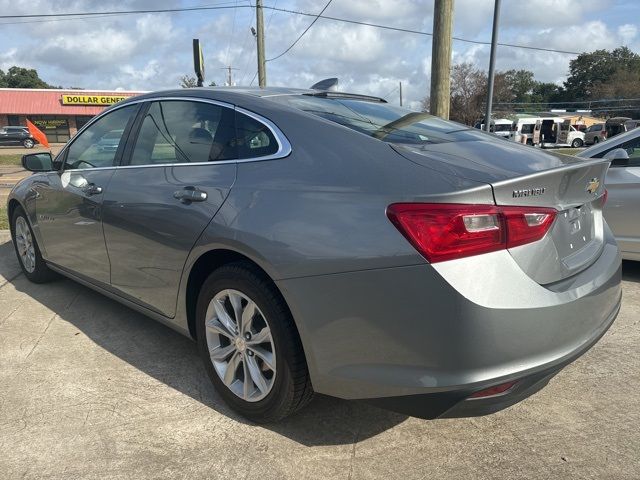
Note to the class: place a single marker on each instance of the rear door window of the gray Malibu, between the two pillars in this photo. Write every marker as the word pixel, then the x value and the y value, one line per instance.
pixel 177 131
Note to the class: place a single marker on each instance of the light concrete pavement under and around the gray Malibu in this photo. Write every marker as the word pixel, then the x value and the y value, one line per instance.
pixel 90 389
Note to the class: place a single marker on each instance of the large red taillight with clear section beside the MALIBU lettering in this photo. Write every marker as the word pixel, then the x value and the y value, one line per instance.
pixel 447 231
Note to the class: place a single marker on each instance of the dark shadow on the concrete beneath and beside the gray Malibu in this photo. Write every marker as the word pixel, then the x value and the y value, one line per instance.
pixel 173 359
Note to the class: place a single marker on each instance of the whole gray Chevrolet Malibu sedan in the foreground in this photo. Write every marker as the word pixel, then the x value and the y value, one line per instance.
pixel 391 256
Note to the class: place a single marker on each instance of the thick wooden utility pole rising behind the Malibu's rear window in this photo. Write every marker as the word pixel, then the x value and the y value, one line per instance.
pixel 441 58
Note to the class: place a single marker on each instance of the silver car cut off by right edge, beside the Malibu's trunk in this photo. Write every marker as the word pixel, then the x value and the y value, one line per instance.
pixel 623 186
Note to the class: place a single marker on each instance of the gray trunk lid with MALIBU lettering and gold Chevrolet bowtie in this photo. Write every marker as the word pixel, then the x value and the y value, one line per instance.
pixel 521 175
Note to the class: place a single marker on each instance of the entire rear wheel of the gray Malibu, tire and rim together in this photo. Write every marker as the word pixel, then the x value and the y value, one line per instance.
pixel 249 344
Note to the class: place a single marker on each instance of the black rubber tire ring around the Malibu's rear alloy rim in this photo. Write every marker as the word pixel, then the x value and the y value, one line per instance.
pixel 244 281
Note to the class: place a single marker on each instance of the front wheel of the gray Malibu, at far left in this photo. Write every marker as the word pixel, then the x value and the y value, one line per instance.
pixel 27 250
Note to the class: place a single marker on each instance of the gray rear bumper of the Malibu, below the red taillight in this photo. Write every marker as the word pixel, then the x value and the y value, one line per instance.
pixel 424 338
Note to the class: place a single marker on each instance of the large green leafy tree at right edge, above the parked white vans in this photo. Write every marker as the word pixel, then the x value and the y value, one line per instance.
pixel 597 68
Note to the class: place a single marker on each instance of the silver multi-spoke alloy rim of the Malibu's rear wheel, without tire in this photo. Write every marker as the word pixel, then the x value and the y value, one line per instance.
pixel 240 345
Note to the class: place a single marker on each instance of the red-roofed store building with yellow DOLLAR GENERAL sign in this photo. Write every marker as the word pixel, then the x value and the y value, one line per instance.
pixel 58 113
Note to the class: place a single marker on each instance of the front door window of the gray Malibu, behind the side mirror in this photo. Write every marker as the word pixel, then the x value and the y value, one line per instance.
pixel 98 145
